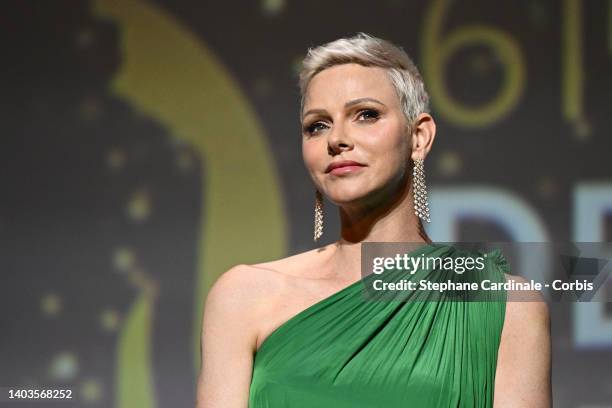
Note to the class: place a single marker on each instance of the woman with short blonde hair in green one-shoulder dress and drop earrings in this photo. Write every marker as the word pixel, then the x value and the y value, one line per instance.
pixel 294 332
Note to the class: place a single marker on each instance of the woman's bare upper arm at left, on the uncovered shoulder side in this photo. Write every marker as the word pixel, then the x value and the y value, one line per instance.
pixel 228 342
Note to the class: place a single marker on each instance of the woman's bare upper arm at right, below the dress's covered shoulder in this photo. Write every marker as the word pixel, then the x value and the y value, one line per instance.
pixel 523 378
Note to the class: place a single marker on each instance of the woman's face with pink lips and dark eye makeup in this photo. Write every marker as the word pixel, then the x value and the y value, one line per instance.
pixel 352 112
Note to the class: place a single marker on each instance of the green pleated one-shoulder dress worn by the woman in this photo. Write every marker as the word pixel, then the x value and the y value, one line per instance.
pixel 347 351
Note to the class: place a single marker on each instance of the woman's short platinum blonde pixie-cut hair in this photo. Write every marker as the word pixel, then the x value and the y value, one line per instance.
pixel 369 51
